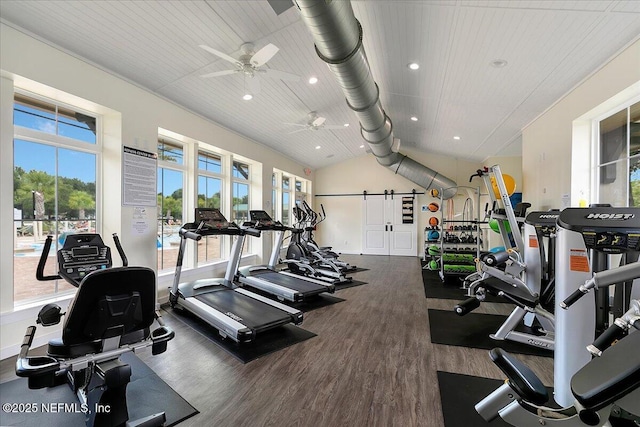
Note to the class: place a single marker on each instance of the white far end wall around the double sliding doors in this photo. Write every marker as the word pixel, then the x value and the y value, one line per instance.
pixel 343 227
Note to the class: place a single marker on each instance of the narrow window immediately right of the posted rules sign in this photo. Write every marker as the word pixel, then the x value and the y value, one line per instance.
pixel 170 185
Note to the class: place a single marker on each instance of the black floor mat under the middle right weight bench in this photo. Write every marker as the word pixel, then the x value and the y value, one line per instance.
pixel 473 331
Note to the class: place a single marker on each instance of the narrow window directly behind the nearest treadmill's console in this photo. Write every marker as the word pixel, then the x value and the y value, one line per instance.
pixel 210 184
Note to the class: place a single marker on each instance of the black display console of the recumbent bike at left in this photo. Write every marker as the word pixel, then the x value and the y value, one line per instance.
pixel 80 255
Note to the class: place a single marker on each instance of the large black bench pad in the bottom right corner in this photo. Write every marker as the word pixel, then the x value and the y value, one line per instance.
pixel 610 377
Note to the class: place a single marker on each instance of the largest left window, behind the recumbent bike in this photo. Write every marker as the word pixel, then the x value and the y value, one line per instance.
pixel 56 152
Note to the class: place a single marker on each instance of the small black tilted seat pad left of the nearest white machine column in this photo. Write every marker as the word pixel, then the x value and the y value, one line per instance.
pixel 521 378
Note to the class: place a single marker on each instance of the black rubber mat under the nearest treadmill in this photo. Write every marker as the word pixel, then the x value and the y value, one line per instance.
pixel 265 343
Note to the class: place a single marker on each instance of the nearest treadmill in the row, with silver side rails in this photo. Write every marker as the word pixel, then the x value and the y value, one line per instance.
pixel 235 312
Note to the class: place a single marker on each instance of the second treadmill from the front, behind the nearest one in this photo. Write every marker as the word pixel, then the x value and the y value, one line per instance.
pixel 266 278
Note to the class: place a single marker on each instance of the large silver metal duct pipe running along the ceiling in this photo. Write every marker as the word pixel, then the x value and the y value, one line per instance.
pixel 337 35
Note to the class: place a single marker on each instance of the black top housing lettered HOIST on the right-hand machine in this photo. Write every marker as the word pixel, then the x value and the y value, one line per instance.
pixel 606 229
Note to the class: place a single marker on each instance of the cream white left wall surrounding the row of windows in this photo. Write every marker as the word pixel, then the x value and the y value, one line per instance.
pixel 132 117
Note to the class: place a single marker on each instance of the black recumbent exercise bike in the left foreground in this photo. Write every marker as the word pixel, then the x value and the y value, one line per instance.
pixel 111 314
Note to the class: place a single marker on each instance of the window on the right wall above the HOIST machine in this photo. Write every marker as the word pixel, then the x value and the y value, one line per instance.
pixel 618 158
